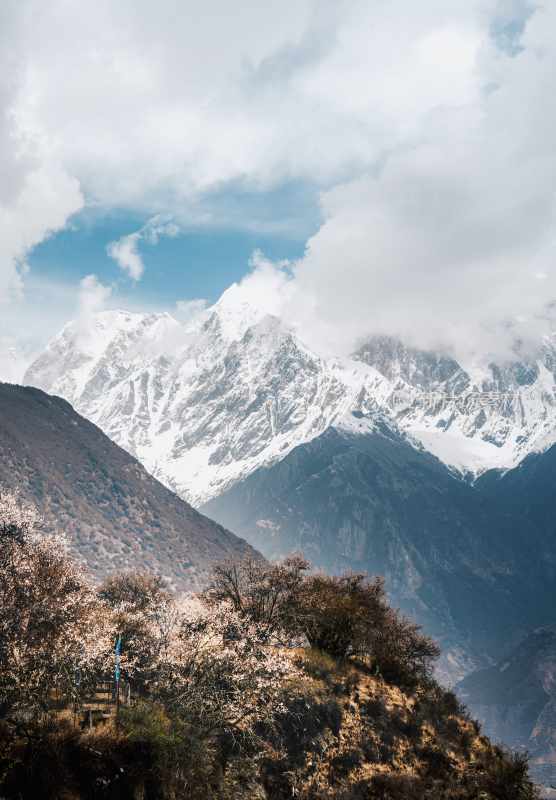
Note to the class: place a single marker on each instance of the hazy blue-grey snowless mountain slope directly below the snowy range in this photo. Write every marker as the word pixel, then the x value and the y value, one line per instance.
pixel 373 502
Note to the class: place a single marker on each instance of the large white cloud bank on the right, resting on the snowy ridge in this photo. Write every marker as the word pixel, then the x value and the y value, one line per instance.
pixel 451 241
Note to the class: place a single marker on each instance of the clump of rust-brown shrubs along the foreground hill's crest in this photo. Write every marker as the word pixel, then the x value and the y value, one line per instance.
pixel 340 616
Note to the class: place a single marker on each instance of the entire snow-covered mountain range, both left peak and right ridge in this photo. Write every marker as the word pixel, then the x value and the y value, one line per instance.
pixel 204 404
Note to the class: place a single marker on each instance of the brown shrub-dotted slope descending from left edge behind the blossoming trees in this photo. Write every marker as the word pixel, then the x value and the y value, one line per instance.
pixel 116 515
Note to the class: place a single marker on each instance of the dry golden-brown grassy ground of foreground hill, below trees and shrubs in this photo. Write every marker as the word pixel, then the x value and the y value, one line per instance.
pixel 340 734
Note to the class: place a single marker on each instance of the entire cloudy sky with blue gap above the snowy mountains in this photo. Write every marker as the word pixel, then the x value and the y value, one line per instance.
pixel 358 167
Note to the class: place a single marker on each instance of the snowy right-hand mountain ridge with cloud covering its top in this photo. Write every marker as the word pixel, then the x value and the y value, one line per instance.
pixel 472 419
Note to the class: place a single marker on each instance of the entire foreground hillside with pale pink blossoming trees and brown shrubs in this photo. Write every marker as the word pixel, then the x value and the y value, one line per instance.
pixel 273 683
